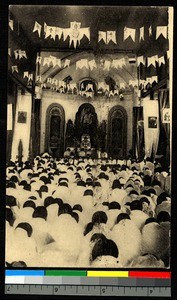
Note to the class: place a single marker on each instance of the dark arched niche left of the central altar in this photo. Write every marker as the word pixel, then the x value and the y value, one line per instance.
pixel 54 138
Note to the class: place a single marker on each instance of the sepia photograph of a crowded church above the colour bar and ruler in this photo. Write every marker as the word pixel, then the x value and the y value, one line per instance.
pixel 88 142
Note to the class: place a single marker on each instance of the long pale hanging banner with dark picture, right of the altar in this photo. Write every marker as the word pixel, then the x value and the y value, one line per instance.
pixel 151 126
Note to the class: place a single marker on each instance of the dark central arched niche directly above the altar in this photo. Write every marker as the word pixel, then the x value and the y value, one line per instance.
pixel 86 123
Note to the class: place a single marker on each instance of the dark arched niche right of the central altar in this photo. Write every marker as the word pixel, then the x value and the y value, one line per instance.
pixel 117 132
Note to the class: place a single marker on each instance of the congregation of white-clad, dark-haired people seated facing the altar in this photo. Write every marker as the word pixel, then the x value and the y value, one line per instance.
pixel 87 213
